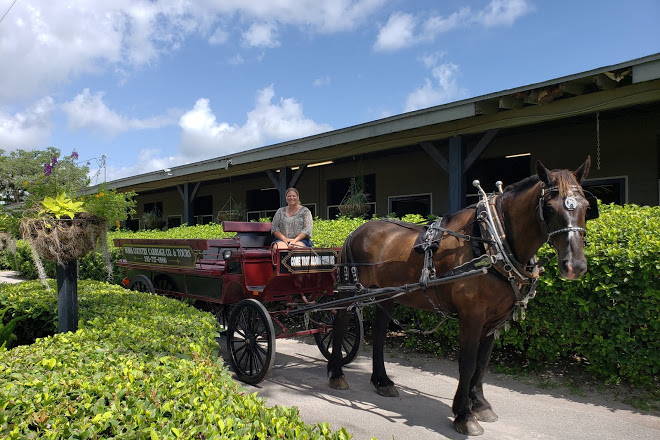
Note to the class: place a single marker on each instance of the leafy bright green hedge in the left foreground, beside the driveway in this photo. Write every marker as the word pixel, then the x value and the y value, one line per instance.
pixel 140 366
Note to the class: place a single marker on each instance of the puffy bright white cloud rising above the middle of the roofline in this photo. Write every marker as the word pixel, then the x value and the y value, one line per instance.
pixel 203 136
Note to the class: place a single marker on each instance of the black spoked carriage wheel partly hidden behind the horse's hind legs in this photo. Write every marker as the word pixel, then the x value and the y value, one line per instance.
pixel 352 343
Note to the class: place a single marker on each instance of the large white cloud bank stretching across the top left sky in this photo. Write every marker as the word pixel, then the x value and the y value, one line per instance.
pixel 43 44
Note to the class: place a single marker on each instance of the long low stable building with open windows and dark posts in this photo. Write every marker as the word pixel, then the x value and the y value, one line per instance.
pixel 423 161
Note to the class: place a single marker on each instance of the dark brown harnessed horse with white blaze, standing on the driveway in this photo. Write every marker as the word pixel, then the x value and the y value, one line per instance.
pixel 509 227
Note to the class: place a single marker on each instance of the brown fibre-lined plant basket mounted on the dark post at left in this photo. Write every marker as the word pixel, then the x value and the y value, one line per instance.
pixel 62 240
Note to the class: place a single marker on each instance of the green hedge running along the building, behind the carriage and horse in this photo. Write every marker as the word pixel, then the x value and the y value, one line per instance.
pixel 608 319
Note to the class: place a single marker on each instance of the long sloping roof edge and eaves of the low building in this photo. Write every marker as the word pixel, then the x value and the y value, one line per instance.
pixel 624 84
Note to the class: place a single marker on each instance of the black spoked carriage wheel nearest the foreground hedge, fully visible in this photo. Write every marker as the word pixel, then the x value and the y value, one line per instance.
pixel 251 341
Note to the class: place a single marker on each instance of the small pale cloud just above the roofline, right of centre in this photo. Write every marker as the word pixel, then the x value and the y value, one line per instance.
pixel 441 88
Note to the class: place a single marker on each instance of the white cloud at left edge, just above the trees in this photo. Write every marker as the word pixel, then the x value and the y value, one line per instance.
pixel 28 129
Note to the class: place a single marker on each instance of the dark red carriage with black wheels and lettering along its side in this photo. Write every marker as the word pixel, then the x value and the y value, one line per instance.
pixel 250 288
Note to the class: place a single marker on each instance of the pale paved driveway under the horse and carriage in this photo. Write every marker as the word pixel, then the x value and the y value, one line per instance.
pixel 423 408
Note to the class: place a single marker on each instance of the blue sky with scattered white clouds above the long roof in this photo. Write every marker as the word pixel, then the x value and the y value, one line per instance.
pixel 156 84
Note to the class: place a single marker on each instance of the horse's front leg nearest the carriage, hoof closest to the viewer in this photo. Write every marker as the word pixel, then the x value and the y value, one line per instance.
pixel 469 334
